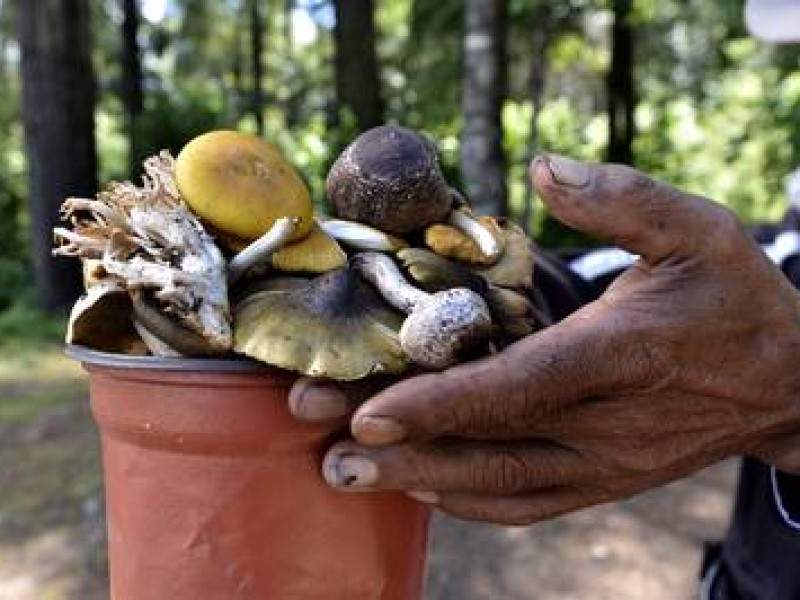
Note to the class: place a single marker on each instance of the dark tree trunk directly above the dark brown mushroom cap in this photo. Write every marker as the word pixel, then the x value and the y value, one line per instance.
pixel 357 77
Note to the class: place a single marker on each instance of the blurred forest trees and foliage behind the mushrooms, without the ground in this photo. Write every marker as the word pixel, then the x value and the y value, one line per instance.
pixel 675 87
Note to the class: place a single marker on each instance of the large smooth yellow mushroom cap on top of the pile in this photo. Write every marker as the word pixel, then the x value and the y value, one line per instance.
pixel 241 184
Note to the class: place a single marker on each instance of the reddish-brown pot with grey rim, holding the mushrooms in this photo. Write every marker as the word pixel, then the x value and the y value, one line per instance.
pixel 213 492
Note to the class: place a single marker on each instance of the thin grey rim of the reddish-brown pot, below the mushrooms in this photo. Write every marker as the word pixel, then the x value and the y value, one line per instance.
pixel 91 357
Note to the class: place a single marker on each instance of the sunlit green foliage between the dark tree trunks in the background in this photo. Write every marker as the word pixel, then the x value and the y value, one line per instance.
pixel 717 111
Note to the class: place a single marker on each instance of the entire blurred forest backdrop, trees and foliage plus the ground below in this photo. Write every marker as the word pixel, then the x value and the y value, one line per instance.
pixel 90 87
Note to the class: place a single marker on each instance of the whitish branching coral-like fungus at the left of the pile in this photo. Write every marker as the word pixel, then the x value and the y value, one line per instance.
pixel 145 238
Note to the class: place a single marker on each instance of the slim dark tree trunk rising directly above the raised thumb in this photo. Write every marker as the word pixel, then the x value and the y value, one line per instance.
pixel 621 93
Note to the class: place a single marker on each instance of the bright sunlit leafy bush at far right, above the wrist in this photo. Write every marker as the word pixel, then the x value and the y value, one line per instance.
pixel 736 143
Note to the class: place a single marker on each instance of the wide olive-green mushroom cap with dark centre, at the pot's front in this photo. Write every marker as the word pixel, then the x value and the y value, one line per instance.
pixel 336 326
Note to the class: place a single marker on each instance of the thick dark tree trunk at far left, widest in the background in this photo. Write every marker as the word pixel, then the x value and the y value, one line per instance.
pixel 58 97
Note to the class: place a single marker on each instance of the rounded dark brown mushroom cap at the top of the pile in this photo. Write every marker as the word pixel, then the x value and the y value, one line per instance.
pixel 389 177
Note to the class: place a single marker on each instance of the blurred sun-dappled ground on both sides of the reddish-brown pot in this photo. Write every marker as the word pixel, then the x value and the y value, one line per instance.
pixel 52 531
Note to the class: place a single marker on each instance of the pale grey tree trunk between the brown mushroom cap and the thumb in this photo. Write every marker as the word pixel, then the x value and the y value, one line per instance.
pixel 484 88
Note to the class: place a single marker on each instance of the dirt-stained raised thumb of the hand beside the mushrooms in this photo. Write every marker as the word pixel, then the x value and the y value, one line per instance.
pixel 633 211
